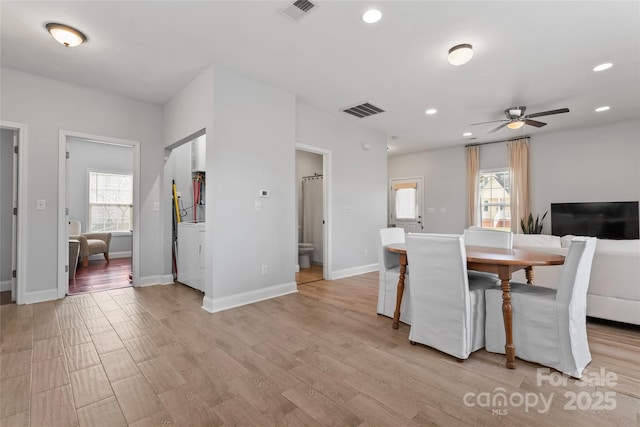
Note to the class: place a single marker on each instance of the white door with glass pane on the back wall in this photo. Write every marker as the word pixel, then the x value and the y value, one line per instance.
pixel 406 204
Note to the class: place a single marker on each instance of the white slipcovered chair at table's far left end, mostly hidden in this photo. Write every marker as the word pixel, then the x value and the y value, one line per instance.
pixel 389 273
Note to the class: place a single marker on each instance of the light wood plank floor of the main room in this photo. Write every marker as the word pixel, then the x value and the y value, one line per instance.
pixel 151 356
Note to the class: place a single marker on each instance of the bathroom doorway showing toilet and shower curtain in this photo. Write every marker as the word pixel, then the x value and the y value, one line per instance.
pixel 312 186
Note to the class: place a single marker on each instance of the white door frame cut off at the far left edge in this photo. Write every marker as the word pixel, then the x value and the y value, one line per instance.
pixel 18 248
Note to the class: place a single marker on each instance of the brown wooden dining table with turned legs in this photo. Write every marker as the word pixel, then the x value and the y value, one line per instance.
pixel 502 262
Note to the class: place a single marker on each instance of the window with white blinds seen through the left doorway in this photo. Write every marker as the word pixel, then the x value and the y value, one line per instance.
pixel 110 202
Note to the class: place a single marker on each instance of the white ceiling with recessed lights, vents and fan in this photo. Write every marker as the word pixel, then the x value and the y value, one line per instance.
pixel 531 53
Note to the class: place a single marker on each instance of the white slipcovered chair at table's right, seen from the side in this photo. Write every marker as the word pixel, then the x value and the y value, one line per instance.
pixel 549 325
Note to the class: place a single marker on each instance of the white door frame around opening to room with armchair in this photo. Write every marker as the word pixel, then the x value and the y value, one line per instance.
pixel 63 217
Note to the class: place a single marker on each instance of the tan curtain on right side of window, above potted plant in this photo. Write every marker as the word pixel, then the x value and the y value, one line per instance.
pixel 519 177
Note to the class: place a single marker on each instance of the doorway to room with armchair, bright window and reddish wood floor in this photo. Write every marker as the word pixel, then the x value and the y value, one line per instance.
pixel 99 192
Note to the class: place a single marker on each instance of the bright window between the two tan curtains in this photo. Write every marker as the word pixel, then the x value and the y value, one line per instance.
pixel 495 201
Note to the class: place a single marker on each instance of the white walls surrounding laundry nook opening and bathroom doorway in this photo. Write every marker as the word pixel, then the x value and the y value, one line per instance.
pixel 251 130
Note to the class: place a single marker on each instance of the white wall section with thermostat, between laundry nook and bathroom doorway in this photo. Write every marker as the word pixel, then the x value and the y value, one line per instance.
pixel 253 149
